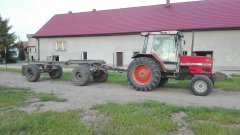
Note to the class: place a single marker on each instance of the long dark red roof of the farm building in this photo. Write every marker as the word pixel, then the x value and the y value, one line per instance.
pixel 208 14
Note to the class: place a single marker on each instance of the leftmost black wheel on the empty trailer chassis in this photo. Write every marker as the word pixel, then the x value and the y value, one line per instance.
pixel 32 73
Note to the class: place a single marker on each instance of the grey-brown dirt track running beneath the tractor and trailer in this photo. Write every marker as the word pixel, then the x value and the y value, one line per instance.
pixel 94 93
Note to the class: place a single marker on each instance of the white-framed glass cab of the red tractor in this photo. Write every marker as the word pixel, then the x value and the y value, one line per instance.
pixel 166 46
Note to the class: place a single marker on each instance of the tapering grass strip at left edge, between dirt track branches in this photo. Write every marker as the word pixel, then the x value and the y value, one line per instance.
pixel 19 96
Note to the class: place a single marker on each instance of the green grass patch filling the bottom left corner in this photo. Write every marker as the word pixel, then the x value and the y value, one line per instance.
pixel 50 123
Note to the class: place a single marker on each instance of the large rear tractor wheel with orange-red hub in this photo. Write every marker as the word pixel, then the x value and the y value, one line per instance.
pixel 152 69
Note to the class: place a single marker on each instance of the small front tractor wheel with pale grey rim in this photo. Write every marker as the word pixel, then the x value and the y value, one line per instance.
pixel 201 85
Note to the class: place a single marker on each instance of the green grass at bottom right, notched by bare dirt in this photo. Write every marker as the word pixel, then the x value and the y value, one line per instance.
pixel 152 117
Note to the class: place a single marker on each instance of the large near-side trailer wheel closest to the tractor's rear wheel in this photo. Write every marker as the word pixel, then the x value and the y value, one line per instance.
pixel 80 75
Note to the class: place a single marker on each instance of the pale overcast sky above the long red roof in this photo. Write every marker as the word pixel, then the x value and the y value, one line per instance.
pixel 28 16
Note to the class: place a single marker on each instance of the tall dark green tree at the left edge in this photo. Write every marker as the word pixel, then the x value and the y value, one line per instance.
pixel 7 38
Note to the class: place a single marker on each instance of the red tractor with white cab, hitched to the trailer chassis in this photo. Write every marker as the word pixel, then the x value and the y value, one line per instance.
pixel 162 58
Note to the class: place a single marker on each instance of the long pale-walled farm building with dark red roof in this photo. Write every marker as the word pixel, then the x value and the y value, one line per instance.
pixel 210 27
